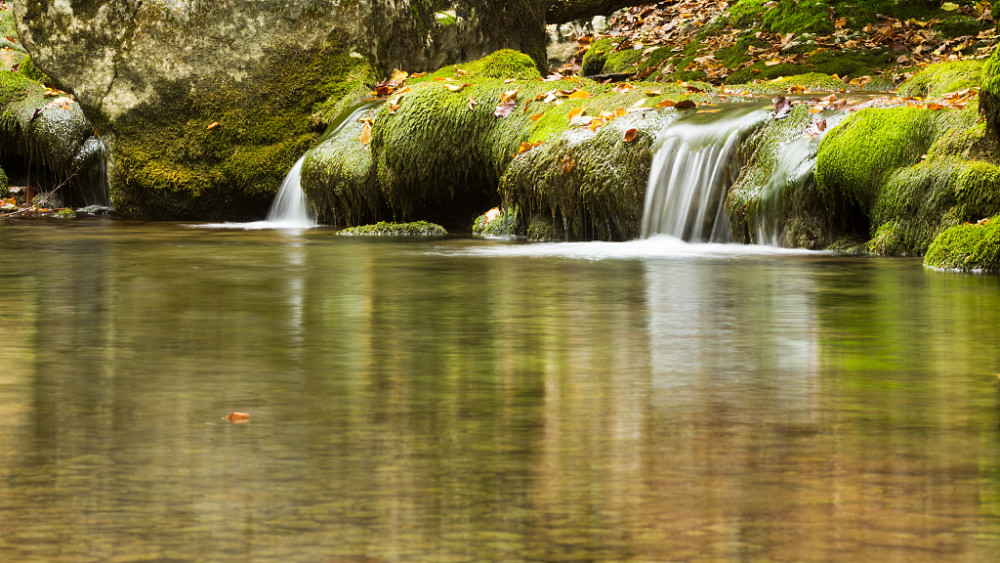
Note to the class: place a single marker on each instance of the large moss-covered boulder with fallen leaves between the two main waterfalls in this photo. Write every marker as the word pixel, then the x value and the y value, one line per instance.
pixel 445 155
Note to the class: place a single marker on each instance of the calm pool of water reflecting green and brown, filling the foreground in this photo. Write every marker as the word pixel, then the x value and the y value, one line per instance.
pixel 479 400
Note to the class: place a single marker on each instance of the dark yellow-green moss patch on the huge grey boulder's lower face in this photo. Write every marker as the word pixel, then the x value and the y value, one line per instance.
pixel 222 153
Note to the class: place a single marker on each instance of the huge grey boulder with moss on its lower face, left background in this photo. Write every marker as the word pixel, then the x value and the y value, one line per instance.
pixel 205 105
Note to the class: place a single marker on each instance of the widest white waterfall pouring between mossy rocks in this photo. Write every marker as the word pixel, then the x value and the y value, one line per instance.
pixel 694 163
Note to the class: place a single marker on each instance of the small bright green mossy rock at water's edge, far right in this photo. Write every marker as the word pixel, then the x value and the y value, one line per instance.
pixel 970 247
